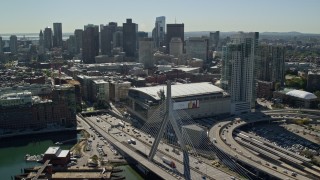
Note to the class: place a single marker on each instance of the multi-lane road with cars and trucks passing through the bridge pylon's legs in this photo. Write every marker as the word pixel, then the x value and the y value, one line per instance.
pixel 143 145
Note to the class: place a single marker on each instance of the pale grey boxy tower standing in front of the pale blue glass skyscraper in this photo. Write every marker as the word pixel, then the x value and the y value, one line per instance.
pixel 146 52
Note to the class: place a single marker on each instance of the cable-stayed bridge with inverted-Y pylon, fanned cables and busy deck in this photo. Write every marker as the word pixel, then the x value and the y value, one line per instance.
pixel 165 148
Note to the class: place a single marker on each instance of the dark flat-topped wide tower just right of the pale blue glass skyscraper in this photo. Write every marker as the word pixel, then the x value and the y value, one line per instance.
pixel 174 30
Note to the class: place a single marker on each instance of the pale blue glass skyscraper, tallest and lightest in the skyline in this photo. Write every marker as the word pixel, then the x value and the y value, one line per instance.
pixel 159 31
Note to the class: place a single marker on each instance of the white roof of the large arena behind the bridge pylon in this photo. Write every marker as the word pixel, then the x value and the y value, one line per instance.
pixel 181 90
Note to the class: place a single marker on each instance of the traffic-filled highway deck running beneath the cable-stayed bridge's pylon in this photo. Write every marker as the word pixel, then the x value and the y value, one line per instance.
pixel 121 135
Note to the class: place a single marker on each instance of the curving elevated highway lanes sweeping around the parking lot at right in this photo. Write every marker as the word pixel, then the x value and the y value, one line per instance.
pixel 232 147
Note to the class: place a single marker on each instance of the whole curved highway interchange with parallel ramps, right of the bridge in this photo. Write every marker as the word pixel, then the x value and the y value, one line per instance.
pixel 228 139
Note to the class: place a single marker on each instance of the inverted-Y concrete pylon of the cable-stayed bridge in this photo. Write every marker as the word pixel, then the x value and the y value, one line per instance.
pixel 168 118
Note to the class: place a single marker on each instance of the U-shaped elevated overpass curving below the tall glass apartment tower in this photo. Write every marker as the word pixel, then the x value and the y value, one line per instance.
pixel 225 141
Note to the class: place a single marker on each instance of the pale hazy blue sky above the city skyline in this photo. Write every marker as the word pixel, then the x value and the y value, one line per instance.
pixel 23 16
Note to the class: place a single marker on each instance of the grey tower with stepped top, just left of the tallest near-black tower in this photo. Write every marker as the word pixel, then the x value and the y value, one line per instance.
pixel 106 39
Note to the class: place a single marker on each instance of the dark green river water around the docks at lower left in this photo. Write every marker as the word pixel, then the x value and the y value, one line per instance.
pixel 13 151
